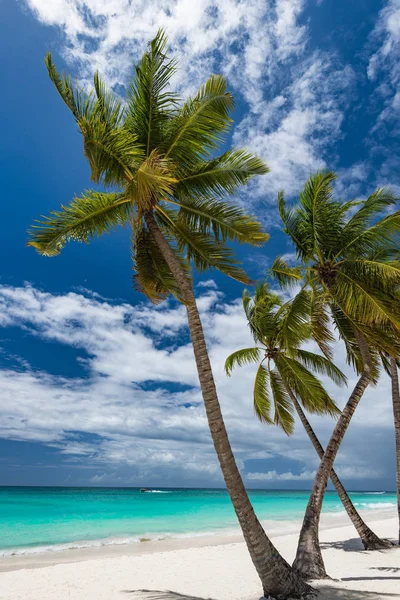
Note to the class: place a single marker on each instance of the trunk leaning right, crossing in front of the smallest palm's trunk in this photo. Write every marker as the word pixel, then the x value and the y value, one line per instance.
pixel 309 562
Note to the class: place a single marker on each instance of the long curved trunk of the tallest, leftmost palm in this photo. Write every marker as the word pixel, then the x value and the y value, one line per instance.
pixel 278 578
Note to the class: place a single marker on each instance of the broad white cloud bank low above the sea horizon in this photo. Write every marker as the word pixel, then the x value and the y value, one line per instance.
pixel 139 405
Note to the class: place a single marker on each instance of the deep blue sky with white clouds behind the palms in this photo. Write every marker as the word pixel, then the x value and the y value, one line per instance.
pixel 98 387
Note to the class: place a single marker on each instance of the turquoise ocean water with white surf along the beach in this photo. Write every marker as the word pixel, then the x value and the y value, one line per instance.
pixel 50 519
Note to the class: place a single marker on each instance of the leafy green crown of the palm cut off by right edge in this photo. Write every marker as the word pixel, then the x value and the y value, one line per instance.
pixel 349 263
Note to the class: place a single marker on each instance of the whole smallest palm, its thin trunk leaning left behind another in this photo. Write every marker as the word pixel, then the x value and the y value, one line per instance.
pixel 280 330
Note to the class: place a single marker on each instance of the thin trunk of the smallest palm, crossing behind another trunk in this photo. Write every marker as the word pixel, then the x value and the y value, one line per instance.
pixel 369 539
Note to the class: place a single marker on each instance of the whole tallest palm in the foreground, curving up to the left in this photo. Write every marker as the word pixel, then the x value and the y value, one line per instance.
pixel 155 154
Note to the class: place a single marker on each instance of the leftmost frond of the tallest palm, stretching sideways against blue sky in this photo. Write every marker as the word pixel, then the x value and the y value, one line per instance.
pixel 87 216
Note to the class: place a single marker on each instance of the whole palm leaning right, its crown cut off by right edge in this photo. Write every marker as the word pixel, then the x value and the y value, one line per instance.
pixel 335 243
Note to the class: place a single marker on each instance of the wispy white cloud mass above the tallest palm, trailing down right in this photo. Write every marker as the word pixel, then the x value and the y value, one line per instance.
pixel 295 96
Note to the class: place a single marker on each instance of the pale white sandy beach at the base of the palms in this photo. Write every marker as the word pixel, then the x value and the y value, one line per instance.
pixel 217 568
